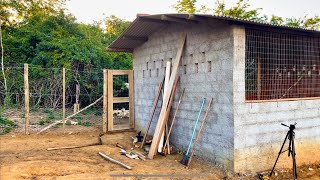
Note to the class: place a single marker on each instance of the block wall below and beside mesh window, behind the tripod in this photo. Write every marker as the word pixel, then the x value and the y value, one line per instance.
pixel 258 135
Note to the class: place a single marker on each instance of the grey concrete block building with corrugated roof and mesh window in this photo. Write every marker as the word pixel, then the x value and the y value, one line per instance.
pixel 259 76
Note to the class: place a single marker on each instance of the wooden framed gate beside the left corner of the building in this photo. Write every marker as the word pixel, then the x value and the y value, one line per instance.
pixel 118 100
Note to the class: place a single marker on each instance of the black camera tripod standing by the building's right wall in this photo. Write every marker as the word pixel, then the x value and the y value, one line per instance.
pixel 291 149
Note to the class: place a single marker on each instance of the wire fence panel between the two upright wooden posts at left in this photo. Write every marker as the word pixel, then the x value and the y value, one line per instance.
pixel 45 97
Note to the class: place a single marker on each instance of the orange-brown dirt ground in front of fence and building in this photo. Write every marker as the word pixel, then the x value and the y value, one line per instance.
pixel 26 157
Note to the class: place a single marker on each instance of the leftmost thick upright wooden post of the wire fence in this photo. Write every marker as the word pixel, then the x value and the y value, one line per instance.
pixel 26 98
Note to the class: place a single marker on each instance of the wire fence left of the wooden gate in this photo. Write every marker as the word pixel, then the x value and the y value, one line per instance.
pixel 46 99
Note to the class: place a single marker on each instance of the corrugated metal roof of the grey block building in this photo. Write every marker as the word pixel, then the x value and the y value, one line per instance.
pixel 144 25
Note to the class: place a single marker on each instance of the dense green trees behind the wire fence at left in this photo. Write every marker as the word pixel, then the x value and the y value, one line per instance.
pixel 38 32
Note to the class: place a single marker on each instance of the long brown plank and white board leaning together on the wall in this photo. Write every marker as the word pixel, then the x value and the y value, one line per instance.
pixel 170 85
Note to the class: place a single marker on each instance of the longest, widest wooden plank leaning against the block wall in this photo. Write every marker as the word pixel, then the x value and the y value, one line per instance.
pixel 160 124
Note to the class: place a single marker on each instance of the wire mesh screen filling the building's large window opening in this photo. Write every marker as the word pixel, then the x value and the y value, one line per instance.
pixel 281 65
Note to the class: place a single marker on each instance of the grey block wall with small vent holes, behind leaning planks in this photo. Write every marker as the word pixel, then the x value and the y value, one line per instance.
pixel 205 72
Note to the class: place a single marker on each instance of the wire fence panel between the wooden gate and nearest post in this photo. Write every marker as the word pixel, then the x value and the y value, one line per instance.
pixel 84 88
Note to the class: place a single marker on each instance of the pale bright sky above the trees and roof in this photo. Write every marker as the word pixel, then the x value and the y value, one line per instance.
pixel 88 11
